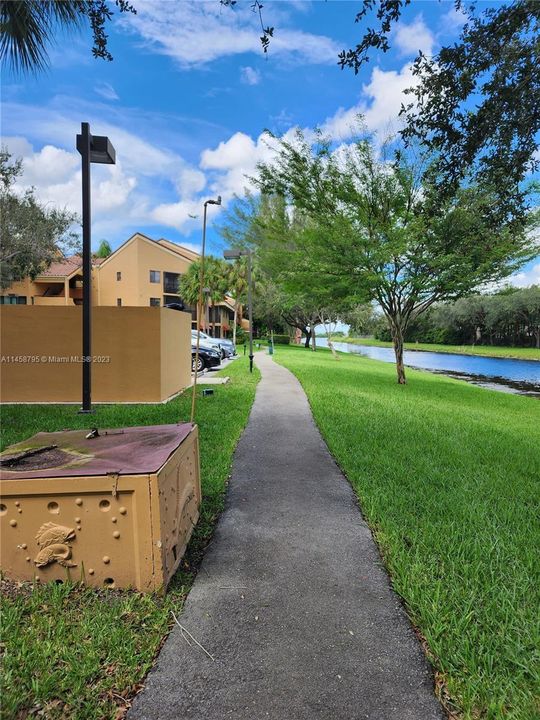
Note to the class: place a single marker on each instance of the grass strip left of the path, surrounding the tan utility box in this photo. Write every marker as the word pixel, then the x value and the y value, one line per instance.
pixel 73 652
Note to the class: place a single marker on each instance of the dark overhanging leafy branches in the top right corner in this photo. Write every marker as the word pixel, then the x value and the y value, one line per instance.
pixel 477 102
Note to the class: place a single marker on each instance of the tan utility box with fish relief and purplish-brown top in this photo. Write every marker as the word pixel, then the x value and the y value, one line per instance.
pixel 115 510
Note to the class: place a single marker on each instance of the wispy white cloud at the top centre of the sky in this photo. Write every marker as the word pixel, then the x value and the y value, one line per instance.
pixel 198 33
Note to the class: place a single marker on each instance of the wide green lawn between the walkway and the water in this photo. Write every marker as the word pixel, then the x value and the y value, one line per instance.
pixel 448 478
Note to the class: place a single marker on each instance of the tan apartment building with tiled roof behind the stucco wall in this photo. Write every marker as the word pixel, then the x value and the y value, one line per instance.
pixel 140 273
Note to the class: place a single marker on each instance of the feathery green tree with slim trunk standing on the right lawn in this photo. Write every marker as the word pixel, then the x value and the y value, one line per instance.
pixel 376 226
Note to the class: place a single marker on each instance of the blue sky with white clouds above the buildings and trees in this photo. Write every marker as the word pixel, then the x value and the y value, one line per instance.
pixel 187 98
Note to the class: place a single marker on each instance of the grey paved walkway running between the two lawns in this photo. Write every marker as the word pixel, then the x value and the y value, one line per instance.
pixel 291 600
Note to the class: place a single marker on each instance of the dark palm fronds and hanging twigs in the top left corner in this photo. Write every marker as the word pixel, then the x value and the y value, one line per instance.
pixel 29 27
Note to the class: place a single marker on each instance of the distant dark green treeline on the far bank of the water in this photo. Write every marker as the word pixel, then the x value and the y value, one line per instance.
pixel 509 317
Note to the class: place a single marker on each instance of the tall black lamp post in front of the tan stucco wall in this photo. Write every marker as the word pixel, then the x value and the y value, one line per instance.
pixel 93 149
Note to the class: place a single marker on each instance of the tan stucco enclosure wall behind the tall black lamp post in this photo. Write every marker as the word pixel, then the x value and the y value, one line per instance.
pixel 144 352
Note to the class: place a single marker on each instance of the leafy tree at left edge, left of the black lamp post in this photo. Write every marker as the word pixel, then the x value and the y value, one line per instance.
pixel 32 235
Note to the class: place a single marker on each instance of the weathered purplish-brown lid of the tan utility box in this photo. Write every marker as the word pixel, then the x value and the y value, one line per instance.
pixel 125 451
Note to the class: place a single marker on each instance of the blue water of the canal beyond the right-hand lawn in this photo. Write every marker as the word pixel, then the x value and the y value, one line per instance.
pixel 505 374
